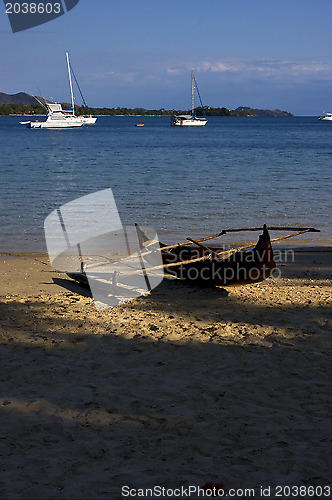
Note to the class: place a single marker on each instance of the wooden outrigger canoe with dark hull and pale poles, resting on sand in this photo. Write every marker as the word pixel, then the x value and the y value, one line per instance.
pixel 196 263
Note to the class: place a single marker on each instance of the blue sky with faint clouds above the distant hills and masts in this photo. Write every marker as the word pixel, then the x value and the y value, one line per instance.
pixel 139 53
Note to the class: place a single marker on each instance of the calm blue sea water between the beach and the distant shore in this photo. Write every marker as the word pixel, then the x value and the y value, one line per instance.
pixel 235 172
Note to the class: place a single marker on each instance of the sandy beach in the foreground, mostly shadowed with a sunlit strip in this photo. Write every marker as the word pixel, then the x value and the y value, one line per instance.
pixel 184 386
